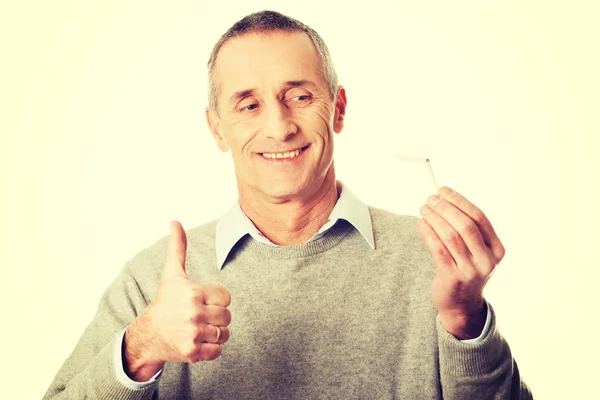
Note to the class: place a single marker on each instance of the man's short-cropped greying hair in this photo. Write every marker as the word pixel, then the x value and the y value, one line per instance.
pixel 263 22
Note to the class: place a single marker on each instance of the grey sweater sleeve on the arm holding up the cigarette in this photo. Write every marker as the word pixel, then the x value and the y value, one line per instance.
pixel 485 370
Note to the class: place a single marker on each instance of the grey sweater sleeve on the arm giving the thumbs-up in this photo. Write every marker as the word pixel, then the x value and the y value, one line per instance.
pixel 89 372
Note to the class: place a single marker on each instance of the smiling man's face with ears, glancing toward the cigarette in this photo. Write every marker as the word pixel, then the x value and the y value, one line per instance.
pixel 273 98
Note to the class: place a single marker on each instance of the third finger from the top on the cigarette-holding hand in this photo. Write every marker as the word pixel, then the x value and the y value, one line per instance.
pixel 450 238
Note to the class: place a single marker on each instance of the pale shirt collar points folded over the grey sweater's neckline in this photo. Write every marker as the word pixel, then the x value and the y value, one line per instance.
pixel 234 224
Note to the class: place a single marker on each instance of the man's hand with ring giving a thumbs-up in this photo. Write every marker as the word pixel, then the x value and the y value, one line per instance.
pixel 179 324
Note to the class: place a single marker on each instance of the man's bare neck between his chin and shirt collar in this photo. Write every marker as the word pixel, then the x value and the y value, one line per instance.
pixel 293 221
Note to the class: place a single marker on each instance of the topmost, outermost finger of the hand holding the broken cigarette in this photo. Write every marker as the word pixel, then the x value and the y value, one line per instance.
pixel 485 227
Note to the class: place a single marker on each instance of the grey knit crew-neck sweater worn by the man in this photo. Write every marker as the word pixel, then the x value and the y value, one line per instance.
pixel 327 319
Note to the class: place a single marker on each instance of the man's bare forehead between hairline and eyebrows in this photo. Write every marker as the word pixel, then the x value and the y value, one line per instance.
pixel 260 60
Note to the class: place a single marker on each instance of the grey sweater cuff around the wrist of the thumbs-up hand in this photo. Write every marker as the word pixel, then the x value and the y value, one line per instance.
pixel 104 383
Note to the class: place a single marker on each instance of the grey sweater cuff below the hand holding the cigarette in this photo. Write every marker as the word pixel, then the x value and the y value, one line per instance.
pixel 467 359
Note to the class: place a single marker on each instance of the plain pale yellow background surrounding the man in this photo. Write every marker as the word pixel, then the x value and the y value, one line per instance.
pixel 104 142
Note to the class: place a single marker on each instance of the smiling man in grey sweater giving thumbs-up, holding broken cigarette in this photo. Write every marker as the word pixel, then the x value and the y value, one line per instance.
pixel 331 298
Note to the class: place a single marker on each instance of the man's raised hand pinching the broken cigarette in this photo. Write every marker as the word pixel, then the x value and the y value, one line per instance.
pixel 466 251
